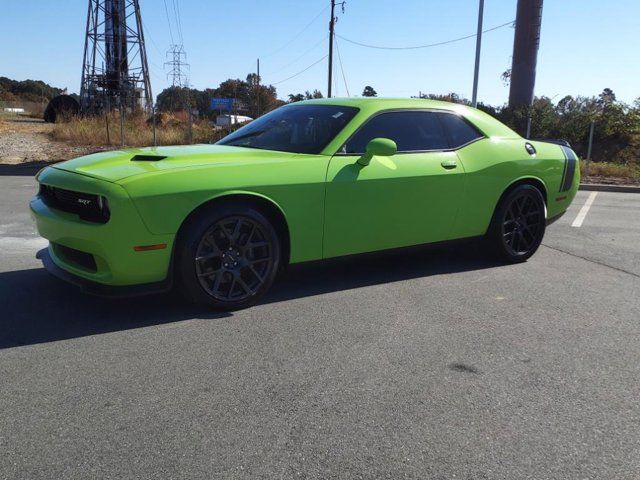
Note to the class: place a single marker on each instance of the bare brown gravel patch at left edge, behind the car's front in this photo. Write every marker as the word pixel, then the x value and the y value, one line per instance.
pixel 24 140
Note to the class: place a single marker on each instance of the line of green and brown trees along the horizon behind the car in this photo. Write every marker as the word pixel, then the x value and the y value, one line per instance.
pixel 616 123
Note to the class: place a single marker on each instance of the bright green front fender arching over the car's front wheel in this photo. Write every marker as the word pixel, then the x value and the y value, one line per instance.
pixel 295 188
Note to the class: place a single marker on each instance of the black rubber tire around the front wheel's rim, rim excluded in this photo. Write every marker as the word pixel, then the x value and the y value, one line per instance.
pixel 187 245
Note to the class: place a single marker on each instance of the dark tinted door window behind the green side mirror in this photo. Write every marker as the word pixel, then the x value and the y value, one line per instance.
pixel 412 131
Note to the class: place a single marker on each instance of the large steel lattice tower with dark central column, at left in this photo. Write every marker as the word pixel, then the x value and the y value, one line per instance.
pixel 115 70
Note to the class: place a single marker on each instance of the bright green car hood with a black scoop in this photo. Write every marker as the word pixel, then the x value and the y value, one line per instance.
pixel 117 165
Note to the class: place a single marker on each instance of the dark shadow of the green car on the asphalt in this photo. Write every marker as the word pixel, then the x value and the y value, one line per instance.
pixel 39 308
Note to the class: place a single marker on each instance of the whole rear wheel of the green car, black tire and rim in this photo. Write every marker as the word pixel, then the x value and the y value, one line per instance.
pixel 518 224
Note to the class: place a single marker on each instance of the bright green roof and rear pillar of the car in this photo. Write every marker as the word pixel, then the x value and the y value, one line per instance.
pixel 369 105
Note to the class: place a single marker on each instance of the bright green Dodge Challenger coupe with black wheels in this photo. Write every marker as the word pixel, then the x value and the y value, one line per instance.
pixel 308 181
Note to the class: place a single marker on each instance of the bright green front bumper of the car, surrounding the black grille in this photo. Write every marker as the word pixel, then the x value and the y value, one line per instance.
pixel 111 245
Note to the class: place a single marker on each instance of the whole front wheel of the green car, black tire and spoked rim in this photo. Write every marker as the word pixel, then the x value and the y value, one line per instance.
pixel 227 257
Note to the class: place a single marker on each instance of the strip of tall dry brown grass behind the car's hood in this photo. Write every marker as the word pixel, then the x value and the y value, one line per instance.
pixel 138 131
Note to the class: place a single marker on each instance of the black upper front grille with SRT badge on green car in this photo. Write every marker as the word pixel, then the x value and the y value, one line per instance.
pixel 89 207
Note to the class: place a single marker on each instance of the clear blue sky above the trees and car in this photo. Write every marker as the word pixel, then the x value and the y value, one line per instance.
pixel 586 45
